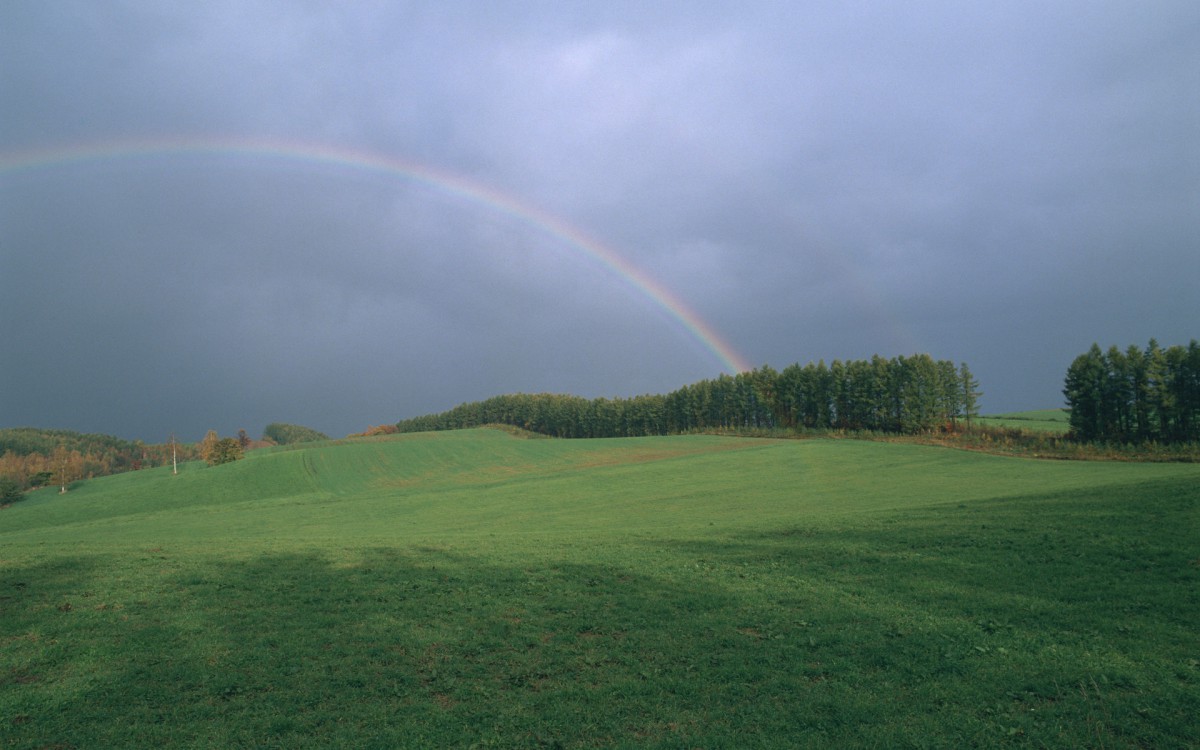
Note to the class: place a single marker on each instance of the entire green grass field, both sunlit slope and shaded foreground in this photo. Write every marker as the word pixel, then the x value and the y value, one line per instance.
pixel 477 590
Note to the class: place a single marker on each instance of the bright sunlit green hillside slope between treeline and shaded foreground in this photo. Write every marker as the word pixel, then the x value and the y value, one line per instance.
pixel 484 482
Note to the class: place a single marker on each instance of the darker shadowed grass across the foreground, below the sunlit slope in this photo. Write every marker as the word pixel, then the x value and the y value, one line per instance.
pixel 1046 622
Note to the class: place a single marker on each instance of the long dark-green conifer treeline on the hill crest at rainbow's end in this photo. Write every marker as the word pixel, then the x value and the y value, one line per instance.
pixel 904 395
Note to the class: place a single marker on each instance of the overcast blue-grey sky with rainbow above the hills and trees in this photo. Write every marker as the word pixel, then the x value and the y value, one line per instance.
pixel 226 214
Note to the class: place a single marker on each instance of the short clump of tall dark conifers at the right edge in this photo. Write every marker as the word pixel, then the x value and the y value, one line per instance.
pixel 1136 395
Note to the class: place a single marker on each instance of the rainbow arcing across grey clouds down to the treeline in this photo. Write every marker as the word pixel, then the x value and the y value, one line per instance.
pixel 368 161
